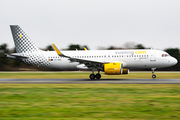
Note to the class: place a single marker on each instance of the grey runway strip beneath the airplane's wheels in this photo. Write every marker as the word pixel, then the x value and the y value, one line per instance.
pixel 88 81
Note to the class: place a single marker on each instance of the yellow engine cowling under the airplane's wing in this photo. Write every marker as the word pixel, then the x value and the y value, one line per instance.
pixel 115 69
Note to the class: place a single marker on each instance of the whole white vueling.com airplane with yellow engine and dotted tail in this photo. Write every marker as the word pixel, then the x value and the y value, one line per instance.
pixel 111 62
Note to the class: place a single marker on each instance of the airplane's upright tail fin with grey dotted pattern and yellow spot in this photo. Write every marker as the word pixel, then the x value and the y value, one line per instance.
pixel 21 40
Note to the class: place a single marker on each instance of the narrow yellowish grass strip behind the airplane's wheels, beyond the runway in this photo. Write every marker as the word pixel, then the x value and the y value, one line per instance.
pixel 85 75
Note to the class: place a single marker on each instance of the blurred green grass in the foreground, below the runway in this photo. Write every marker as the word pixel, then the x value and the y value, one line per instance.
pixel 89 101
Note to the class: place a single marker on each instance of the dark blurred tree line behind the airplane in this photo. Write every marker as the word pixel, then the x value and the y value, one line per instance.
pixel 7 64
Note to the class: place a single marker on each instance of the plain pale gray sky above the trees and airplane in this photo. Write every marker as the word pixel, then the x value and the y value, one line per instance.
pixel 153 23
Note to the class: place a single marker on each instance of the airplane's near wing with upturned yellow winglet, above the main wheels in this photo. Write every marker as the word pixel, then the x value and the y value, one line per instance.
pixel 88 62
